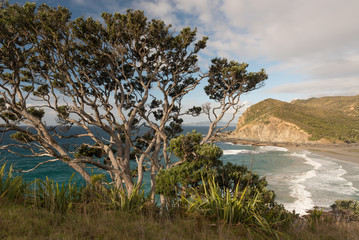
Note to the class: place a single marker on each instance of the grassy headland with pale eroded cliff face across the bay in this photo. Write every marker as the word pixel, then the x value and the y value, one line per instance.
pixel 315 120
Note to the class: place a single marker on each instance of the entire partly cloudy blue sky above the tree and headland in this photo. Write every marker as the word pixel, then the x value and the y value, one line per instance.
pixel 309 48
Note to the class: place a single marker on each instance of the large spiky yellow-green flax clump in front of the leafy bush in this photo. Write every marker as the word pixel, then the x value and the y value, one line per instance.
pixel 221 204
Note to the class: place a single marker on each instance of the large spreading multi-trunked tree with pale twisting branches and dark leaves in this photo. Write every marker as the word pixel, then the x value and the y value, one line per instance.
pixel 125 75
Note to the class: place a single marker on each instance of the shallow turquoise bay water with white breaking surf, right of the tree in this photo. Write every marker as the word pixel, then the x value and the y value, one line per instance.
pixel 300 179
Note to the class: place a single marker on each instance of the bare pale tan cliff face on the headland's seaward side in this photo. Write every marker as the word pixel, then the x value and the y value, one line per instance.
pixel 270 130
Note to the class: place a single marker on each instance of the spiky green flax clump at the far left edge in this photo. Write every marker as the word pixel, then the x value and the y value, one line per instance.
pixel 12 188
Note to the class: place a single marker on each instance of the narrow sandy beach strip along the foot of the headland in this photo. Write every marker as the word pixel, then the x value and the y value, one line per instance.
pixel 343 152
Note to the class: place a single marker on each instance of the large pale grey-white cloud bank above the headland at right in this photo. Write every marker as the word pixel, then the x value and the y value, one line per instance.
pixel 317 40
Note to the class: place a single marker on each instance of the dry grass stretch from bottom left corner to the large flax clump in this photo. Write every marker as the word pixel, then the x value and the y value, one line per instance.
pixel 19 222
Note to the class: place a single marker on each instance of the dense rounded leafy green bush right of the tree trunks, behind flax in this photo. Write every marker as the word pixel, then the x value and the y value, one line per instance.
pixel 199 161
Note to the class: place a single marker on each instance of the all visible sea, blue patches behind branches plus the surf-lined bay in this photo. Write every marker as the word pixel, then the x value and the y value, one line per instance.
pixel 300 179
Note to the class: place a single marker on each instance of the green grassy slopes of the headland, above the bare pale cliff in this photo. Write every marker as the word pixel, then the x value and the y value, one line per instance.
pixel 332 118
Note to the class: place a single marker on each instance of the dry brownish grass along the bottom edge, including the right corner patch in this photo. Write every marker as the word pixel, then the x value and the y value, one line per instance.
pixel 92 222
